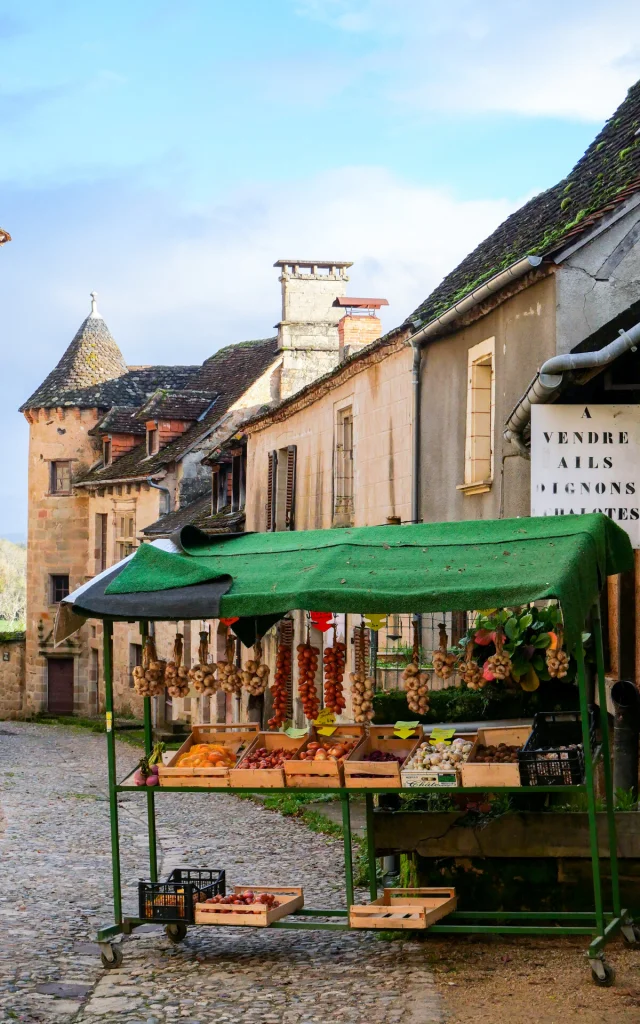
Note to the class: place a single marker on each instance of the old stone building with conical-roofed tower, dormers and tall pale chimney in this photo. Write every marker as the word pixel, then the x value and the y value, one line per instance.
pixel 116 456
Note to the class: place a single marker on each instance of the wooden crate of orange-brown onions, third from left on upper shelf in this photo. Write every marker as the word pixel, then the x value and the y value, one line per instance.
pixel 319 764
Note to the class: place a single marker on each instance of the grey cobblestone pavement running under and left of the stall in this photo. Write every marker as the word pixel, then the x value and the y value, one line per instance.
pixel 56 891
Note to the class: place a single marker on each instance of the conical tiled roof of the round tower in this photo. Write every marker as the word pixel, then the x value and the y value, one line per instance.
pixel 93 359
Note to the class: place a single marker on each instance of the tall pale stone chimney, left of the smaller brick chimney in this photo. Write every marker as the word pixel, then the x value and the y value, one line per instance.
pixel 308 333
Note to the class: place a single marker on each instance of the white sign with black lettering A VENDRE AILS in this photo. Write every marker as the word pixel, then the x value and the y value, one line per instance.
pixel 587 459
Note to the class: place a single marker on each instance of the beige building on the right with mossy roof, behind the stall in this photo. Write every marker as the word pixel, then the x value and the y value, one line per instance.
pixel 433 421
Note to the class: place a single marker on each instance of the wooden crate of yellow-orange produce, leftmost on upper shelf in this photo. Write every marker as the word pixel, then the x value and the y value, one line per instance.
pixel 221 746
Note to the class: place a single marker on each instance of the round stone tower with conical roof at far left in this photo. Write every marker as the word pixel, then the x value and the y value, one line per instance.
pixel 61 413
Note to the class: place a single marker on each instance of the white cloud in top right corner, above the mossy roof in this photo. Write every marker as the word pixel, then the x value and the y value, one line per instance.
pixel 533 58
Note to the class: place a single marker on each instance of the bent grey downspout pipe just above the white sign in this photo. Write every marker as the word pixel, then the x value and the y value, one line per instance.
pixel 550 380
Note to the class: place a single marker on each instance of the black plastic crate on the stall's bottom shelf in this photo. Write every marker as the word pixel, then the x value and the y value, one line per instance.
pixel 176 900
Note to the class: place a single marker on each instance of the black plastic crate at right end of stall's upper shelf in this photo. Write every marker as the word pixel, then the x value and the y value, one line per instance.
pixel 543 762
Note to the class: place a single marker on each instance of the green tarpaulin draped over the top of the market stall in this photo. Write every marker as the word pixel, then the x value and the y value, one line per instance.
pixel 415 569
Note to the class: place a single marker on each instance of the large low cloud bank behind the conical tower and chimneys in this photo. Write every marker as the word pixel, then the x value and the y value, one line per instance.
pixel 175 284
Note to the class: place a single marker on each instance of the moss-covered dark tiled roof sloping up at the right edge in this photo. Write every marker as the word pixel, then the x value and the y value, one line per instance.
pixel 607 176
